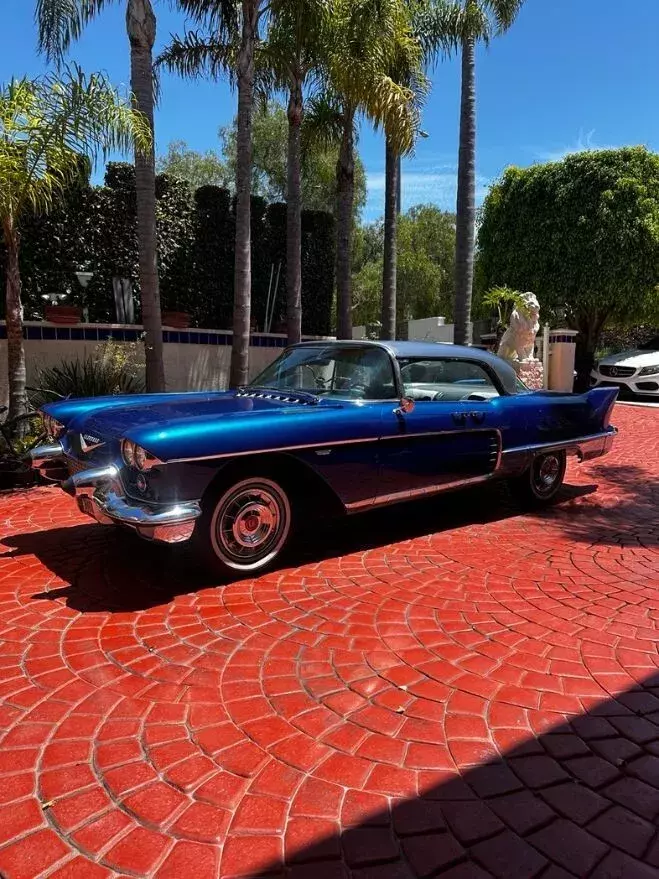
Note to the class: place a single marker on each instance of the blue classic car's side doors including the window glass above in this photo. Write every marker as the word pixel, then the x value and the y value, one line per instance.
pixel 452 434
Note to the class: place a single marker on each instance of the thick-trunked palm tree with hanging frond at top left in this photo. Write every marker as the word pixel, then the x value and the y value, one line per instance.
pixel 61 22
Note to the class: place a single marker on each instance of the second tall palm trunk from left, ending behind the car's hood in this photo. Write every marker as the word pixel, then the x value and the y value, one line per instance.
pixel 242 282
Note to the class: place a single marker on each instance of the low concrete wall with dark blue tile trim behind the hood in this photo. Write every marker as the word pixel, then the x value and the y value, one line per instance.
pixel 194 359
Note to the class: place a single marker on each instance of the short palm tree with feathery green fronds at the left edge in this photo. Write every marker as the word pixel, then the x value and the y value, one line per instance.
pixel 46 125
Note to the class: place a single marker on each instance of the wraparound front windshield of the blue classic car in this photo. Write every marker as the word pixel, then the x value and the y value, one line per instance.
pixel 346 372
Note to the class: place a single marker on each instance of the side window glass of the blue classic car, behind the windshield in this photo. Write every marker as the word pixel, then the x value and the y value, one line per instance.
pixel 446 379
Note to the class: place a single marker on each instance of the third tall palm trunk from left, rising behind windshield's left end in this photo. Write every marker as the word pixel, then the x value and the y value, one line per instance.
pixel 294 217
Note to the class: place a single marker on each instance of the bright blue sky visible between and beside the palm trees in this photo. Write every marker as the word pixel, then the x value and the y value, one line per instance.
pixel 570 75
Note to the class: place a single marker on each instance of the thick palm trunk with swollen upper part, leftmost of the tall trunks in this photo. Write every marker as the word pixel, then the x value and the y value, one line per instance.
pixel 141 27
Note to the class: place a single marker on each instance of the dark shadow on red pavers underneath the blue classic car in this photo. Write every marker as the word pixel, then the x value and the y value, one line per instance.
pixel 109 569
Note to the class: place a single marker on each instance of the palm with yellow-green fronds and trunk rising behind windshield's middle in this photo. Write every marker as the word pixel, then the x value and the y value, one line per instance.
pixel 365 38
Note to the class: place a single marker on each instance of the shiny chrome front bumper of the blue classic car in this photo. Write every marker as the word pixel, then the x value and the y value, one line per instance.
pixel 97 493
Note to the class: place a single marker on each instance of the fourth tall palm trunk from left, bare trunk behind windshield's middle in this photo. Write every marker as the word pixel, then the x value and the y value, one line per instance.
pixel 345 193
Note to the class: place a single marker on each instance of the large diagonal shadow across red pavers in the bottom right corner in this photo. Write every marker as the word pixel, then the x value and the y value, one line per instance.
pixel 579 799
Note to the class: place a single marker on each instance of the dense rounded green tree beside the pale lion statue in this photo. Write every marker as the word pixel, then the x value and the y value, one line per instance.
pixel 583 234
